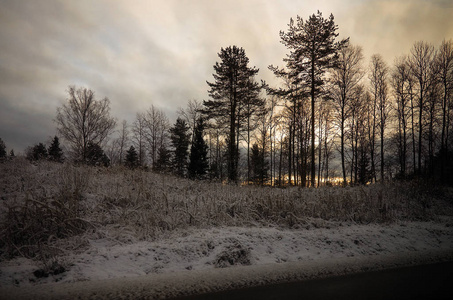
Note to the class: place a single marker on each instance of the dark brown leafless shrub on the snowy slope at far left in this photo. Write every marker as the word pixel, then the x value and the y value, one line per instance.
pixel 34 221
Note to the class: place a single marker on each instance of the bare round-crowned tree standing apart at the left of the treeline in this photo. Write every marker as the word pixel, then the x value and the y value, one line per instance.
pixel 83 120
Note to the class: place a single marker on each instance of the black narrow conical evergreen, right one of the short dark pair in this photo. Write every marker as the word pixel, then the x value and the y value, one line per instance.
pixel 198 164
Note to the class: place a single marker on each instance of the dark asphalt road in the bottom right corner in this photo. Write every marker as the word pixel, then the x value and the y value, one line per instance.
pixel 433 281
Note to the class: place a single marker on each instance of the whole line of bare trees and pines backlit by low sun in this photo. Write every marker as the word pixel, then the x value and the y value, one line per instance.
pixel 332 120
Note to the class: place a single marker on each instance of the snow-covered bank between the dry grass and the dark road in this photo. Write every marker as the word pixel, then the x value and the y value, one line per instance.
pixel 196 260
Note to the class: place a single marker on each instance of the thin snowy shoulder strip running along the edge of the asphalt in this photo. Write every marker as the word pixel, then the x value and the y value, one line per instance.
pixel 188 283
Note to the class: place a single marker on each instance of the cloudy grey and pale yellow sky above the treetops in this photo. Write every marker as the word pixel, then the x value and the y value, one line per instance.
pixel 141 53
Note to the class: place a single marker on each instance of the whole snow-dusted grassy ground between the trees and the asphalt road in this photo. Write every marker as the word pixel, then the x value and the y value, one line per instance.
pixel 118 233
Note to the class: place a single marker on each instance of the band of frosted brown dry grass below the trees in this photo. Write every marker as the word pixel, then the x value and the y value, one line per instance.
pixel 45 204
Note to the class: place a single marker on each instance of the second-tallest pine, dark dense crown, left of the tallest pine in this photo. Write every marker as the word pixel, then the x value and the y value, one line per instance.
pixel 234 84
